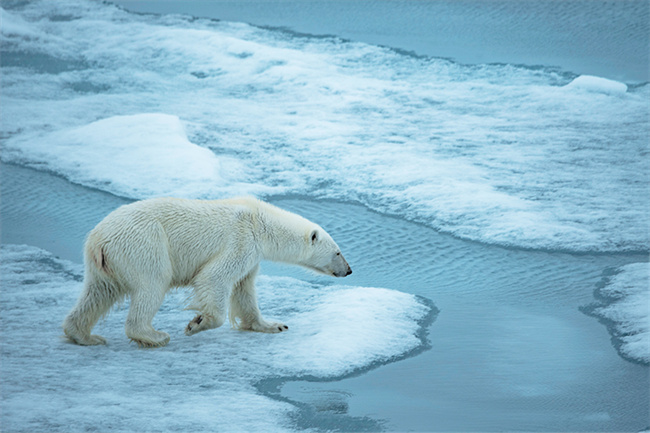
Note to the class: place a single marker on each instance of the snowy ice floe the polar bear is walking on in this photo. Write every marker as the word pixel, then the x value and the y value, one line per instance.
pixel 202 383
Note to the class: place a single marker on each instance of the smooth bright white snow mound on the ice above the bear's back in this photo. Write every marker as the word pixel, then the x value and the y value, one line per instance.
pixel 138 156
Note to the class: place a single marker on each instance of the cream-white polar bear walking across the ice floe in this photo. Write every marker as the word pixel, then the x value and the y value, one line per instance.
pixel 144 249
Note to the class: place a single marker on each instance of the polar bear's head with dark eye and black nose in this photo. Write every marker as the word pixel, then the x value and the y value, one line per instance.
pixel 324 256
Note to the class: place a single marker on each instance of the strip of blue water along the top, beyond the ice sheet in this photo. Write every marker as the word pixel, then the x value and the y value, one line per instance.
pixel 594 37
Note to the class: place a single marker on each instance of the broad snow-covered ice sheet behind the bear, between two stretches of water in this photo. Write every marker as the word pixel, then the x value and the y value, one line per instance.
pixel 502 154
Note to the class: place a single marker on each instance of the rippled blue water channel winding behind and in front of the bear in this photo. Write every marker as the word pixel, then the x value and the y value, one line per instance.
pixel 508 350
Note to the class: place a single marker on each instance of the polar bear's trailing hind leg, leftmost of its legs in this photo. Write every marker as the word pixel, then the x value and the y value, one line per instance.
pixel 98 296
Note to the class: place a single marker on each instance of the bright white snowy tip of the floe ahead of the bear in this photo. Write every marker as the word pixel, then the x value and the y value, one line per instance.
pixel 336 344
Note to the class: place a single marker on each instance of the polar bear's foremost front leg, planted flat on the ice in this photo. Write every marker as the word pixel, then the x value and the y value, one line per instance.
pixel 243 306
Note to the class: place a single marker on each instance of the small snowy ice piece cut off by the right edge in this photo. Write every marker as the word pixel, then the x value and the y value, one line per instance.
pixel 628 309
